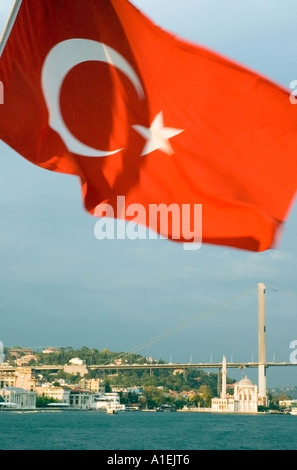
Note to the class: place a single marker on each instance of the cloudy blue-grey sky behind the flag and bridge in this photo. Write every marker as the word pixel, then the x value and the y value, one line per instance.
pixel 60 286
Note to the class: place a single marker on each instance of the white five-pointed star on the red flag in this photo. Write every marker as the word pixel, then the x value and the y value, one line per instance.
pixel 157 136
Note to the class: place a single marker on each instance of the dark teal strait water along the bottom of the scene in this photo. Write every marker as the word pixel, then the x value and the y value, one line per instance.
pixel 85 430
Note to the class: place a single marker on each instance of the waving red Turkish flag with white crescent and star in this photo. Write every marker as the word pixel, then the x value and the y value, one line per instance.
pixel 95 89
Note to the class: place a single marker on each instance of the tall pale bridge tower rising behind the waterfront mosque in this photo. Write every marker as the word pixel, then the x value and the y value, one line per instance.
pixel 261 341
